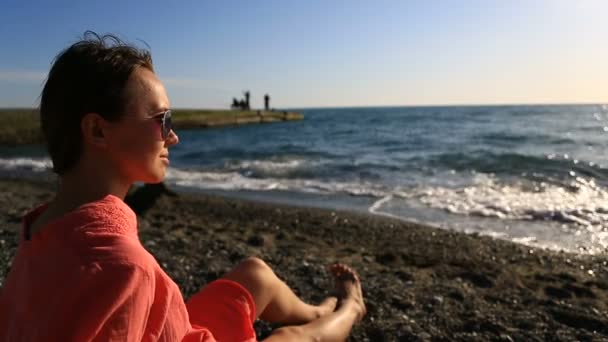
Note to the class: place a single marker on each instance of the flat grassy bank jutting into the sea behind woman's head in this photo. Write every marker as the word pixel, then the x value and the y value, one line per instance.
pixel 22 126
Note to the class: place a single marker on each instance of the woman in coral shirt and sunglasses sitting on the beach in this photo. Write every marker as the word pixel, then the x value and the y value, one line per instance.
pixel 81 272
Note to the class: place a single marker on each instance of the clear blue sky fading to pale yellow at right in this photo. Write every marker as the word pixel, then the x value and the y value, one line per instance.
pixel 320 53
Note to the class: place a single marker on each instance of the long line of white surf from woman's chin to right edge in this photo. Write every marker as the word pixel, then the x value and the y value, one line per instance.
pixel 581 202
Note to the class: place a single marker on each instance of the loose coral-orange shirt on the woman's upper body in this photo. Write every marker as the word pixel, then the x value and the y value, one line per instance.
pixel 86 276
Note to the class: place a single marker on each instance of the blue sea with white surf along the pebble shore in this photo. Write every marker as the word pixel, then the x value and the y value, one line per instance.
pixel 535 175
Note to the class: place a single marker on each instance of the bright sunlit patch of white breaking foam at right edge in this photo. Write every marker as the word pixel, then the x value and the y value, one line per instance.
pixel 582 202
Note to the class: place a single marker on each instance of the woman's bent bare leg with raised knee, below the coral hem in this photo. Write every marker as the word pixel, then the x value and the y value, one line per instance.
pixel 274 300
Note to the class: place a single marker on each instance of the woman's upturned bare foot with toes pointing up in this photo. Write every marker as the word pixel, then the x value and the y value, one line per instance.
pixel 348 287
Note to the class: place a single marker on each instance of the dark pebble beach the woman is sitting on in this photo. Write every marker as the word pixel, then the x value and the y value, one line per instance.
pixel 420 283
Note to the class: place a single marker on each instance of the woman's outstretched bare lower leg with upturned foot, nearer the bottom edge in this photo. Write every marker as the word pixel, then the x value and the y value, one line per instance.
pixel 337 325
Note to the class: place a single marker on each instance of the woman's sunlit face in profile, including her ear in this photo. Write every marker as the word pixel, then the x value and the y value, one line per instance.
pixel 136 146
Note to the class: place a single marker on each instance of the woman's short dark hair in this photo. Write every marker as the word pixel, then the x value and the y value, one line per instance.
pixel 87 77
